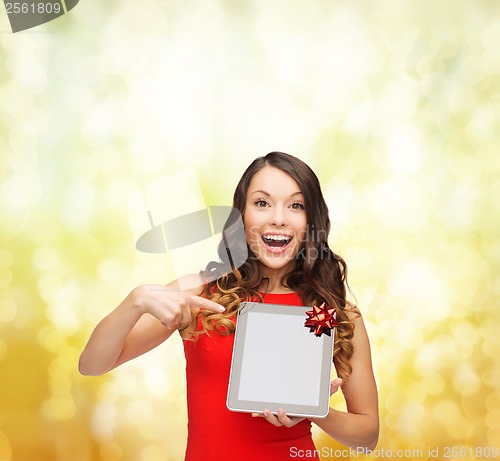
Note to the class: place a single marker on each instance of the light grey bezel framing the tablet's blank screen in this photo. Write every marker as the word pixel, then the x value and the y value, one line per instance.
pixel 250 406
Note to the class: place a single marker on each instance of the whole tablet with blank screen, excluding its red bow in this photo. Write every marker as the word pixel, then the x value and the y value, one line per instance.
pixel 278 363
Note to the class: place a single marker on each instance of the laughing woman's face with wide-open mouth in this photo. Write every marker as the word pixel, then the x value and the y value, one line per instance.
pixel 275 218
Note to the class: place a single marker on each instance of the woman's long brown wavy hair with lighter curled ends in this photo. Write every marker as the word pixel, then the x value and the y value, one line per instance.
pixel 319 275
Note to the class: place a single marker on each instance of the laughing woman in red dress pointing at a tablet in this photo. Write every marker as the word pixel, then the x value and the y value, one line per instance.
pixel 286 226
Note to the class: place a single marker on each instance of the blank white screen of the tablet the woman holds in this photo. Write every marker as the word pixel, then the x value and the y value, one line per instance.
pixel 281 360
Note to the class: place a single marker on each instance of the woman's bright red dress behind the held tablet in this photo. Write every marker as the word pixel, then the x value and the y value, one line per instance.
pixel 214 432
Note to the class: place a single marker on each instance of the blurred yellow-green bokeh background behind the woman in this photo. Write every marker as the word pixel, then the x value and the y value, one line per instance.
pixel 395 105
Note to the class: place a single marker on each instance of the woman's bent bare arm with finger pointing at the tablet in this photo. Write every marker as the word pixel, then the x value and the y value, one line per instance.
pixel 143 320
